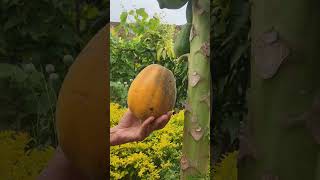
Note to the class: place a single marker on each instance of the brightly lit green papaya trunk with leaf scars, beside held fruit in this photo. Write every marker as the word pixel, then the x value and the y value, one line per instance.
pixel 196 142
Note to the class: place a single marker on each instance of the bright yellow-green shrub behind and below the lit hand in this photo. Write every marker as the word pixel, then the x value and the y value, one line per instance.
pixel 157 157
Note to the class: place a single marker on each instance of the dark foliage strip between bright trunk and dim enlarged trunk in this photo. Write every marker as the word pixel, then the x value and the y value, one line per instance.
pixel 230 71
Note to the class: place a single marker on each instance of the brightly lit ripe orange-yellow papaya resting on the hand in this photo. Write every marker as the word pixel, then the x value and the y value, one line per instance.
pixel 152 93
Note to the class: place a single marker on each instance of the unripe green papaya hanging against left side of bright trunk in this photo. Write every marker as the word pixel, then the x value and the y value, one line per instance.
pixel 182 43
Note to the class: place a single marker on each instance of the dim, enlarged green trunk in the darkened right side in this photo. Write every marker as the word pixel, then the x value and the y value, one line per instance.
pixel 281 140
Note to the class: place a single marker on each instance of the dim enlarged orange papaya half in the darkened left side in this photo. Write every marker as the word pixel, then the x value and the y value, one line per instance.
pixel 82 108
